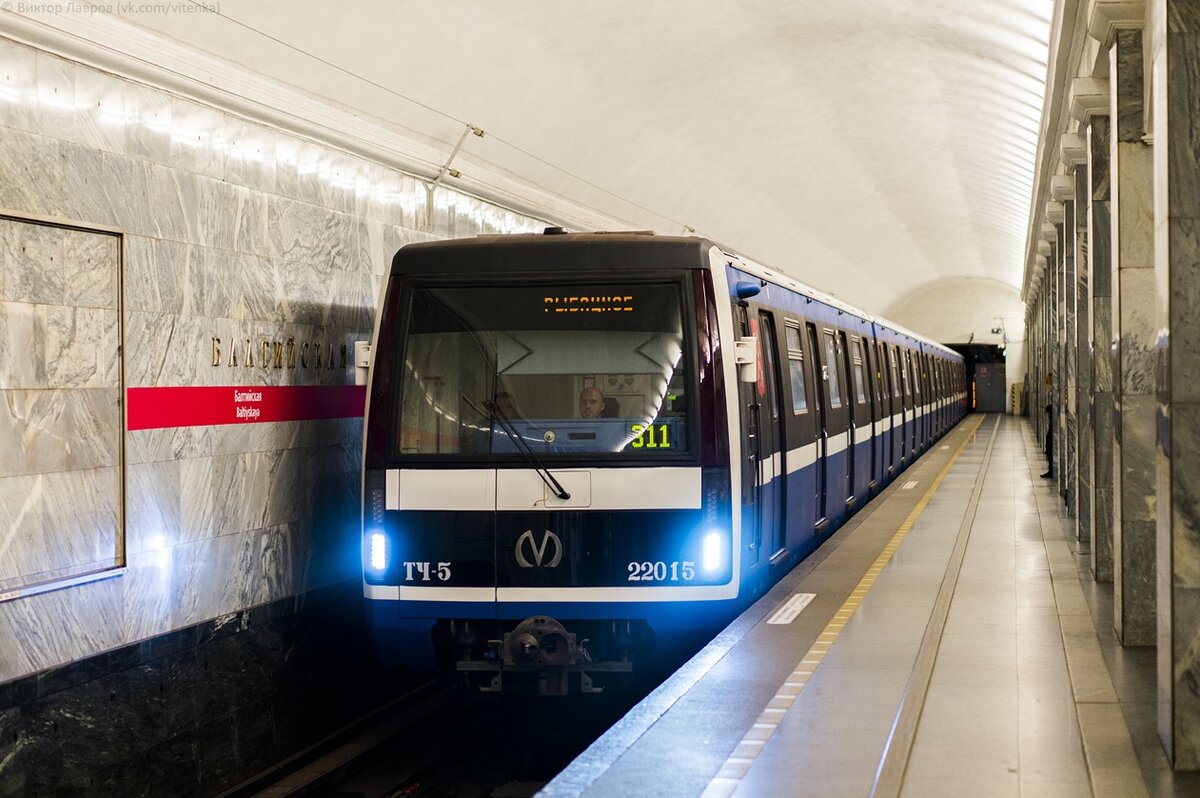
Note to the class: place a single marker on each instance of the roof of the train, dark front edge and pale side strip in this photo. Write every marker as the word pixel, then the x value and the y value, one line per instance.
pixel 541 251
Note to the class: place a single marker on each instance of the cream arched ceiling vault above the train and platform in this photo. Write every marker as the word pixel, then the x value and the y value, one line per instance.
pixel 875 151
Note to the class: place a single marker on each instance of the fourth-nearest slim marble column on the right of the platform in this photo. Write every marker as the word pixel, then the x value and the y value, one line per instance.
pixel 1082 400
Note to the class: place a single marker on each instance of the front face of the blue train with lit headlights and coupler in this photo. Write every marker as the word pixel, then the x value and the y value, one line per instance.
pixel 547 483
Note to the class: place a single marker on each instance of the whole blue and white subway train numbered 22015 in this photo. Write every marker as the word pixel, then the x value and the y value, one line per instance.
pixel 586 454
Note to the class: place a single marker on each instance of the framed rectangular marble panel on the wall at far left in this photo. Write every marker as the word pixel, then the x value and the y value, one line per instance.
pixel 59 404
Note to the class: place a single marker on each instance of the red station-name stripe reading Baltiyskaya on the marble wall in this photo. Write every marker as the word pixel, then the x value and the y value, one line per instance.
pixel 157 409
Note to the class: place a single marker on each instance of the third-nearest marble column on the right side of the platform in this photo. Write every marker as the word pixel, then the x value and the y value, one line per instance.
pixel 1100 267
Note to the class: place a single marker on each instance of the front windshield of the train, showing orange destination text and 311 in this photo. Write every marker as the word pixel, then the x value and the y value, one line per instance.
pixel 554 369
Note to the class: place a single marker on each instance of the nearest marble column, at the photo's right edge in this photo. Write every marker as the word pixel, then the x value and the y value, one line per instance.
pixel 1175 57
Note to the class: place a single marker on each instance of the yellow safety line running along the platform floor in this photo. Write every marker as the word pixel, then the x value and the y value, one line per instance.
pixel 747 752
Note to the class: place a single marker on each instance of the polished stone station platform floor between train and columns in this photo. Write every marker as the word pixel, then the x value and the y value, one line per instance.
pixel 949 647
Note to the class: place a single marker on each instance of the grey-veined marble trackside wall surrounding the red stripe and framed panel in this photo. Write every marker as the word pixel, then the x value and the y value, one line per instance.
pixel 231 230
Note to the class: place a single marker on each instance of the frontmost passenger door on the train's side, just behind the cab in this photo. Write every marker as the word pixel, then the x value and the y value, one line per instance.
pixel 772 465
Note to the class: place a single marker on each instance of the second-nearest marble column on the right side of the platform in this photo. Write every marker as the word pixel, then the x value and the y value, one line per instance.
pixel 1133 350
